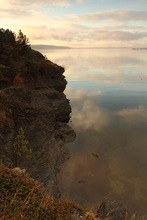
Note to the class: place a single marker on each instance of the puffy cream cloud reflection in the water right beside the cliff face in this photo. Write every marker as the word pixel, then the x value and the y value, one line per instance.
pixel 88 115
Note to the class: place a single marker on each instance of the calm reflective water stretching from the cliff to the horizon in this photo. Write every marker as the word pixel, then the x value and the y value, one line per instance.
pixel 108 93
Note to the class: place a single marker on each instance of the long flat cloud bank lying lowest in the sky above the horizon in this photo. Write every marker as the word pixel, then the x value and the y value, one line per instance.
pixel 88 34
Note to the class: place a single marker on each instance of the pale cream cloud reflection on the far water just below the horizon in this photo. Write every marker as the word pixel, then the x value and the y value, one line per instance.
pixel 102 66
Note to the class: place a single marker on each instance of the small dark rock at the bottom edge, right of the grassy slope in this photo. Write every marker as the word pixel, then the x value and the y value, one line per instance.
pixel 112 210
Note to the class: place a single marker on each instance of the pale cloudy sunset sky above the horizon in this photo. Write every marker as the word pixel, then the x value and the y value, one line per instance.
pixel 78 23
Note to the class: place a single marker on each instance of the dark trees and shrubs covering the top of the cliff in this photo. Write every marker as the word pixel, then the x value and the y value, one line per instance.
pixel 18 59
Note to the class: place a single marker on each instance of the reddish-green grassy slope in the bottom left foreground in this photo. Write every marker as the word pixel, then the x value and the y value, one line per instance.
pixel 24 198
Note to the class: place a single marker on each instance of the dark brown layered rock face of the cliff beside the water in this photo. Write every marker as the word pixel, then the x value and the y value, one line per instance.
pixel 32 98
